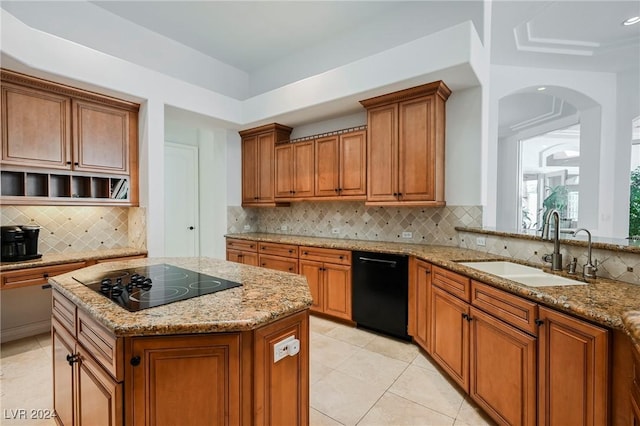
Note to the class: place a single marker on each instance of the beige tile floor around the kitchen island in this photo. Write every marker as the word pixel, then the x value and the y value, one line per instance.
pixel 357 378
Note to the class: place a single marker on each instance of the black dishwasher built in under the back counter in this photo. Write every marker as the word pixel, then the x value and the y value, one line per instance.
pixel 380 292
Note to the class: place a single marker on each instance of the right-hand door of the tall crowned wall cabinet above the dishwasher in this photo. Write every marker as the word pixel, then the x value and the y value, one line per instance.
pixel 416 150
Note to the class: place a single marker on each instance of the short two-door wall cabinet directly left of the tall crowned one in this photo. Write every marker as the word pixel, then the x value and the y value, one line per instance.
pixel 341 165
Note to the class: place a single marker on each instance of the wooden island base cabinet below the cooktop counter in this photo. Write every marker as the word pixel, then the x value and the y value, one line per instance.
pixel 213 379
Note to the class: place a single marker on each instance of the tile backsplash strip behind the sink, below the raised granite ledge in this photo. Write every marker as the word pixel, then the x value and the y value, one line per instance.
pixel 619 266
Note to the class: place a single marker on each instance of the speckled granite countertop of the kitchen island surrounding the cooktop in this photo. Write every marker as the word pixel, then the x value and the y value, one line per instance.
pixel 265 296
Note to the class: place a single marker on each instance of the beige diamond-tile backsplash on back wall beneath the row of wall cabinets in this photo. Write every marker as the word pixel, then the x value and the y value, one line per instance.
pixel 354 220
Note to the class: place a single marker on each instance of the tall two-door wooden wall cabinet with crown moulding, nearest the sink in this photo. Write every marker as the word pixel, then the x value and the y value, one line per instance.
pixel 405 146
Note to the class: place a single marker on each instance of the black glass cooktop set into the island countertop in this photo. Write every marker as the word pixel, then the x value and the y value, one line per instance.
pixel 154 285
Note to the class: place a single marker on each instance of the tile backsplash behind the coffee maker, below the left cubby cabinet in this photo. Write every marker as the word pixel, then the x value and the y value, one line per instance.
pixel 68 229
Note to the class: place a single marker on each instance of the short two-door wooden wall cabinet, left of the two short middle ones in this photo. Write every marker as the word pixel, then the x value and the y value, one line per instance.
pixel 294 170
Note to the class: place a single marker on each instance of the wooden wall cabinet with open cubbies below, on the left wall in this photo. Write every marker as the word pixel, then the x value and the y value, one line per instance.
pixel 62 145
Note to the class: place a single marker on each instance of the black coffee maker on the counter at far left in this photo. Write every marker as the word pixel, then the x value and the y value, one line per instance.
pixel 19 243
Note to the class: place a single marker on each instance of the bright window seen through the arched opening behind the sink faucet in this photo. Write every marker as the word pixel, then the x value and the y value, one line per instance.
pixel 550 177
